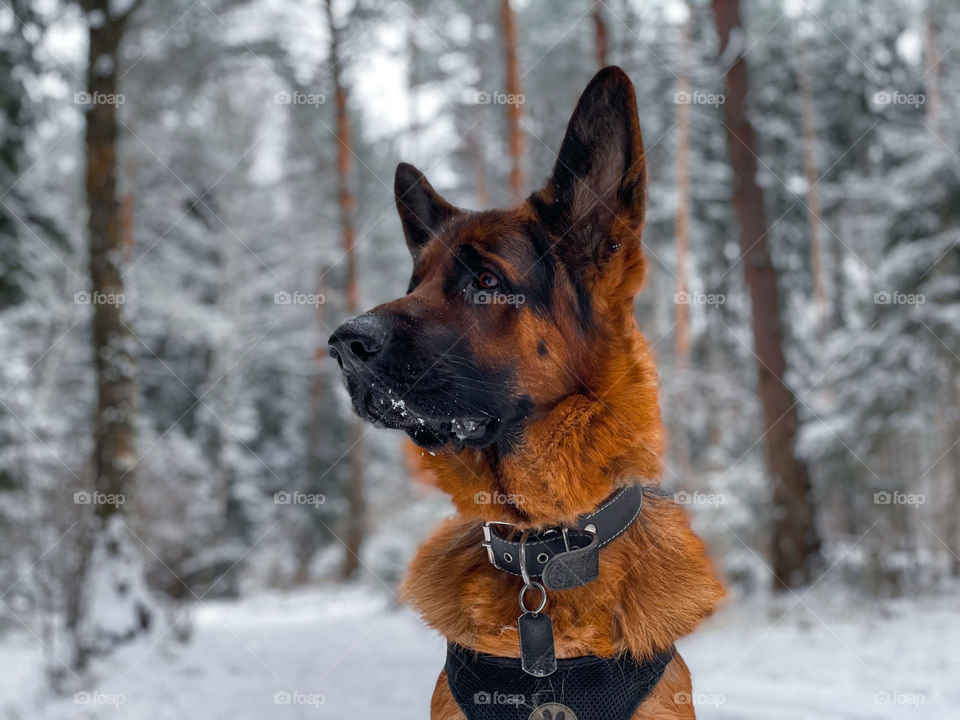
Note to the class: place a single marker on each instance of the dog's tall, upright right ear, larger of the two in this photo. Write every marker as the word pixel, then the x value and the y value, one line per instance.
pixel 595 199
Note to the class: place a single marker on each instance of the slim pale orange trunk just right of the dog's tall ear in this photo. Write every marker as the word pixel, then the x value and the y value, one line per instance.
pixel 682 231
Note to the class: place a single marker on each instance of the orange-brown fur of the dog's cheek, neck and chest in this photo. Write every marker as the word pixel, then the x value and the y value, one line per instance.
pixel 655 582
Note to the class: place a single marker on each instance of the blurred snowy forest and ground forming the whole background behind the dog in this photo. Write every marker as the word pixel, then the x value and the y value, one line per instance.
pixel 195 193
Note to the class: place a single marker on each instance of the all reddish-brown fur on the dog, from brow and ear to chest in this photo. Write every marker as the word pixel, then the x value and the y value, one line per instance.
pixel 595 426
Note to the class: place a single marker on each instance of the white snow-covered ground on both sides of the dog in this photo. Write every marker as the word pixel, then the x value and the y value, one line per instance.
pixel 352 653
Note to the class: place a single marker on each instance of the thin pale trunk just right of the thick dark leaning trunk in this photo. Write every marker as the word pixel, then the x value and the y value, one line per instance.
pixel 814 207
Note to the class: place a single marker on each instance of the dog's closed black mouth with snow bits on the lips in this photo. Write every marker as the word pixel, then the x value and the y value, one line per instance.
pixel 429 430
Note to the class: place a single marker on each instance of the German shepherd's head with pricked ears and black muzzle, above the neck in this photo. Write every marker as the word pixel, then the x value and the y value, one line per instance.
pixel 509 311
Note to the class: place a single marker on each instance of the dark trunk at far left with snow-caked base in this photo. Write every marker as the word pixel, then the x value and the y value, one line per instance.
pixel 110 576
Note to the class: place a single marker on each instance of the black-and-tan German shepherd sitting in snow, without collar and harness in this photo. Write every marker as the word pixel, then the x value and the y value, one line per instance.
pixel 515 362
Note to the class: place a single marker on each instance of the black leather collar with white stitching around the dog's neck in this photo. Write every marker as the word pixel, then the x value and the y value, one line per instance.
pixel 561 557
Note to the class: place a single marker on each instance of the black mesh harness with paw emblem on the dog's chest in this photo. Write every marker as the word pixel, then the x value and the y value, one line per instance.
pixel 584 688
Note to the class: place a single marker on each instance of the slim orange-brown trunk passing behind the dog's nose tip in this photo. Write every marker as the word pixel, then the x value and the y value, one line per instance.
pixel 355 520
